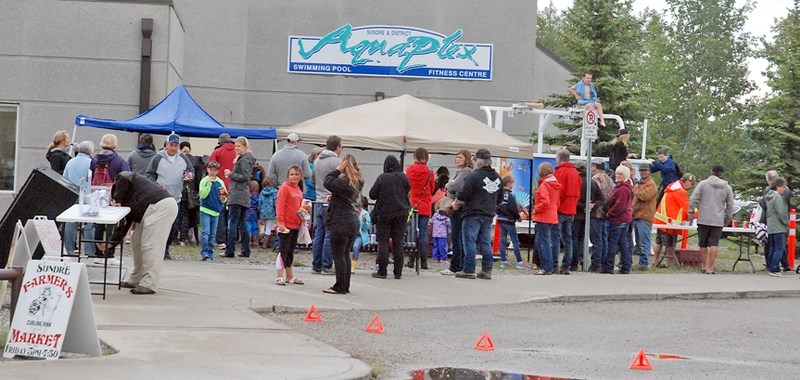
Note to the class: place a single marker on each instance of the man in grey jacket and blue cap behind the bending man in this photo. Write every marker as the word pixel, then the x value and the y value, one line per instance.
pixel 169 169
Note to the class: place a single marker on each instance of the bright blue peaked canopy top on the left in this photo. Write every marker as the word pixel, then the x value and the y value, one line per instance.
pixel 178 113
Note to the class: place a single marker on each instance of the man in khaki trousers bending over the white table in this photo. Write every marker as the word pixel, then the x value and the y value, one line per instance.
pixel 153 210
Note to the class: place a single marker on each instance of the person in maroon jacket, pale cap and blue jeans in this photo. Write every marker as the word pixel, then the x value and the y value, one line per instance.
pixel 619 212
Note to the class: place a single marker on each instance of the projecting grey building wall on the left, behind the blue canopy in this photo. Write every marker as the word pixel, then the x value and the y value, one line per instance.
pixel 60 59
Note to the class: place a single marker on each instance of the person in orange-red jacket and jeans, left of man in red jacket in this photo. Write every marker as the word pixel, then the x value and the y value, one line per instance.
pixel 545 214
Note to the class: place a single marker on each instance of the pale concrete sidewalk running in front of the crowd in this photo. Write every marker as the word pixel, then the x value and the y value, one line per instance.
pixel 202 323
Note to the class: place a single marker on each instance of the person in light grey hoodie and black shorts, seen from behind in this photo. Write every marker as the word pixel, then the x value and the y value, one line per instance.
pixel 714 197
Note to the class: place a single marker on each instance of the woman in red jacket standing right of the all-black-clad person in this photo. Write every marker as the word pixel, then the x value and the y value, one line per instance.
pixel 422 183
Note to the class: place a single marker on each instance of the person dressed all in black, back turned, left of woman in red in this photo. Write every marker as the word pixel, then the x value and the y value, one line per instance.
pixel 390 214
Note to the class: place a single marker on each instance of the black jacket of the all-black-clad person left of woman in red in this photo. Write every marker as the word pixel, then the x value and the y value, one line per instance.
pixel 390 192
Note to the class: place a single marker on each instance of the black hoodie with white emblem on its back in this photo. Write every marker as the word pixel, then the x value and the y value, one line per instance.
pixel 481 193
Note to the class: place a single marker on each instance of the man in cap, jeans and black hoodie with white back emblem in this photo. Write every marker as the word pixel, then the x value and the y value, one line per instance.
pixel 480 195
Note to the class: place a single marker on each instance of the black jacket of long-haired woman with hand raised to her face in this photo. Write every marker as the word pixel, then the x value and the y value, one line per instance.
pixel 344 207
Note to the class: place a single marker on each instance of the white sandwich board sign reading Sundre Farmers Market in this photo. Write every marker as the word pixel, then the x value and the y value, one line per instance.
pixel 54 312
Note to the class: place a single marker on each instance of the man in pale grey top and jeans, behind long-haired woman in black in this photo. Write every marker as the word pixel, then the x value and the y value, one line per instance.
pixel 326 162
